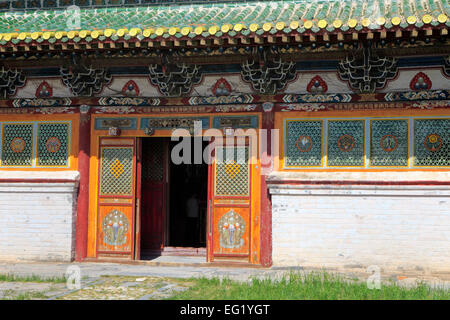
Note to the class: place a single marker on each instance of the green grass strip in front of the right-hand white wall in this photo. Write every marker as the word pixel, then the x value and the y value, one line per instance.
pixel 313 286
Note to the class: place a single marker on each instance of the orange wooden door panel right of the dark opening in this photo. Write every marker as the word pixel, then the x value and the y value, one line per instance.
pixel 229 204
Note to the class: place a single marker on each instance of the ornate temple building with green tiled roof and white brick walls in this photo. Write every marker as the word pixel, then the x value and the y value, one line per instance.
pixel 346 102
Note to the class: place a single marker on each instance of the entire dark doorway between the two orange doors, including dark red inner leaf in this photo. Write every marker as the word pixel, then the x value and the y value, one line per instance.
pixel 174 201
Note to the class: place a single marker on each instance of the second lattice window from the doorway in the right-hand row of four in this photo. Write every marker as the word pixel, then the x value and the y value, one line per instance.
pixel 346 143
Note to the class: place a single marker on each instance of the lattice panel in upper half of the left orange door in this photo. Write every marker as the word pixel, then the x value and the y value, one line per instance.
pixel 117 170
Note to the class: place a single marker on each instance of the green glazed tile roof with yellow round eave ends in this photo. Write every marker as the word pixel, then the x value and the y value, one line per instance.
pixel 207 15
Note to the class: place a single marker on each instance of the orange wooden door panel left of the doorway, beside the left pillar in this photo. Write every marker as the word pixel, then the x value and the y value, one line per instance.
pixel 116 198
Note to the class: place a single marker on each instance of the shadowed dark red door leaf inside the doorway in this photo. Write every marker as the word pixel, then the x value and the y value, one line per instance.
pixel 154 193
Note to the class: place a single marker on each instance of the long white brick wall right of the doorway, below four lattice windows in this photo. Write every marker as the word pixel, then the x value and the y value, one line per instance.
pixel 354 226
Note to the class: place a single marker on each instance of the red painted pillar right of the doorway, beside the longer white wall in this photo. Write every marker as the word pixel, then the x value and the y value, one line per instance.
pixel 266 205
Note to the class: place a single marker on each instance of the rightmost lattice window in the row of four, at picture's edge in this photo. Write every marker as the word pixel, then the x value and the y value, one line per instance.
pixel 432 142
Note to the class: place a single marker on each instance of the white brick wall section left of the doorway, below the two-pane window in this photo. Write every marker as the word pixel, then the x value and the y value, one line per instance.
pixel 37 220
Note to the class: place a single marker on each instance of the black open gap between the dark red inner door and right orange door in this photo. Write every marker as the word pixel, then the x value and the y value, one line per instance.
pixel 188 185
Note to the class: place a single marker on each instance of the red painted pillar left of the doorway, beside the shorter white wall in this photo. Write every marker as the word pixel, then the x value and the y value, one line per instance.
pixel 83 190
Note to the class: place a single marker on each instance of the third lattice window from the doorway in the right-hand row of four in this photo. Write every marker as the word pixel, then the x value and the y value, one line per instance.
pixel 389 143
